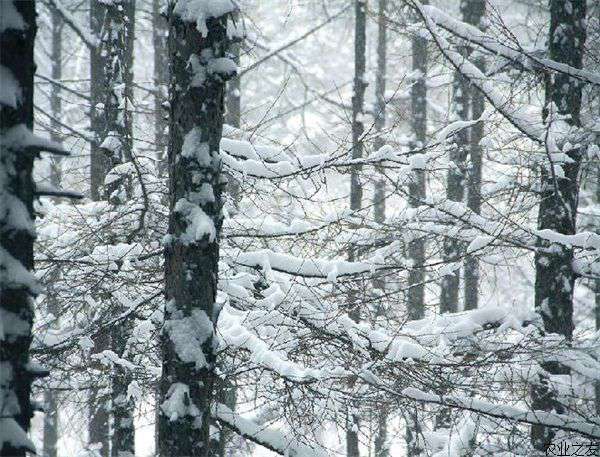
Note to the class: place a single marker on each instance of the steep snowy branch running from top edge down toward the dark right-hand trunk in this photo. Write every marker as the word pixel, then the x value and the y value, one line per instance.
pixel 520 120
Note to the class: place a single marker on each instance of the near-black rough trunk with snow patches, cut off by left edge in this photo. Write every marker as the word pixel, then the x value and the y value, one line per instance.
pixel 16 239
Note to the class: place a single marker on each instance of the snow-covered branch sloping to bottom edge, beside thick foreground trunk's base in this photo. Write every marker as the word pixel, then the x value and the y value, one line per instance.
pixel 274 440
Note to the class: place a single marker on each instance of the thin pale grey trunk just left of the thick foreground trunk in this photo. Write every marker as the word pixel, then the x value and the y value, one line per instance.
pixel 161 78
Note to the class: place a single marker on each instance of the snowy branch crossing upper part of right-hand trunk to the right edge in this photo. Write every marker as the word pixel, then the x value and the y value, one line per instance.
pixel 521 57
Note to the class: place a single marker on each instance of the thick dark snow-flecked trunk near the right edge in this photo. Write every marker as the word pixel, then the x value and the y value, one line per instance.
pixel 555 278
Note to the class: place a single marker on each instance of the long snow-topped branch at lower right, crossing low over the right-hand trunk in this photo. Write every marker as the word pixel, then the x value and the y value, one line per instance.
pixel 565 422
